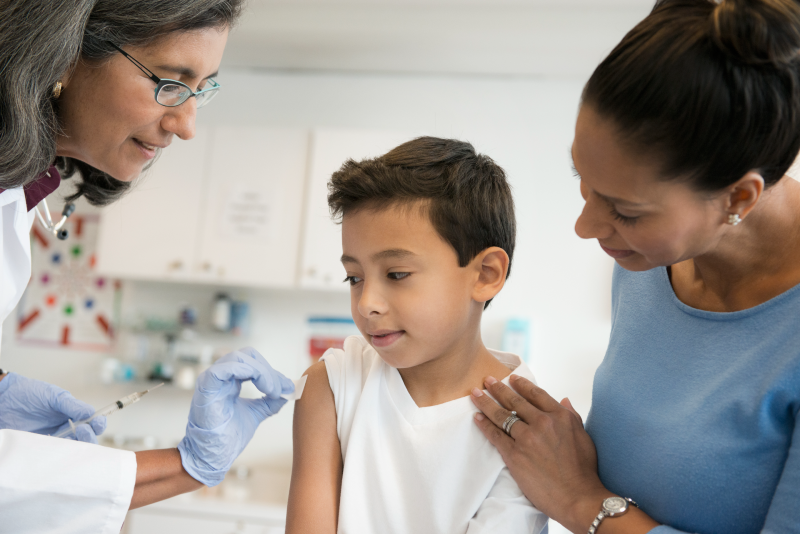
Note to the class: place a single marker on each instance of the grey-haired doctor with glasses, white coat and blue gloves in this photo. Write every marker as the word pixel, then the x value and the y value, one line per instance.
pixel 99 86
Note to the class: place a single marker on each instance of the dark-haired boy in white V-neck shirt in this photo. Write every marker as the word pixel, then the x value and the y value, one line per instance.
pixel 384 439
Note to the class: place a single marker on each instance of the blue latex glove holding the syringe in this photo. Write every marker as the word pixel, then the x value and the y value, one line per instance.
pixel 36 406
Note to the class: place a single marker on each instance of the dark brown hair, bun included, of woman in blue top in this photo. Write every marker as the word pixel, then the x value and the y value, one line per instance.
pixel 712 90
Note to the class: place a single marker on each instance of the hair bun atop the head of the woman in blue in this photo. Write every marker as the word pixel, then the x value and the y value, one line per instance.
pixel 758 31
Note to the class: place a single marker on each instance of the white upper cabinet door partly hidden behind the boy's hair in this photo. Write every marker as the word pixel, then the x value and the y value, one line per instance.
pixel 322 243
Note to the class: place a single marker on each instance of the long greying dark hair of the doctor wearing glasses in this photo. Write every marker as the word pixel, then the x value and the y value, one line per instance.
pixel 40 43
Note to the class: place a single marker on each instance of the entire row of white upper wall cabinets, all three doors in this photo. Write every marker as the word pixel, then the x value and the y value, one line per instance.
pixel 228 208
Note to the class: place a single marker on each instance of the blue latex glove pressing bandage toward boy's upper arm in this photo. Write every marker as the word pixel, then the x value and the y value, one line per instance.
pixel 221 423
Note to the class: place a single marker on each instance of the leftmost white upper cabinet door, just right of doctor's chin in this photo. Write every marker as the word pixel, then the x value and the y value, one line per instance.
pixel 152 231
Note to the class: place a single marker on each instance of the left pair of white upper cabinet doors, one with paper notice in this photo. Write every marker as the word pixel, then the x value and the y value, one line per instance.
pixel 224 208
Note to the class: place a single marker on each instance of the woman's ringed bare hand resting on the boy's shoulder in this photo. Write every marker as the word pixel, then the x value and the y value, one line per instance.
pixel 549 453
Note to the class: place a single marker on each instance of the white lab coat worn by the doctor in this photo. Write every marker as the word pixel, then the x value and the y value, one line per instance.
pixel 51 485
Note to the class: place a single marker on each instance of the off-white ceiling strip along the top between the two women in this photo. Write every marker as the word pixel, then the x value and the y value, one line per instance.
pixel 544 38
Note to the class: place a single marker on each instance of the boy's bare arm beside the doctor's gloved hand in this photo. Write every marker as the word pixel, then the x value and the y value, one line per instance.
pixel 317 466
